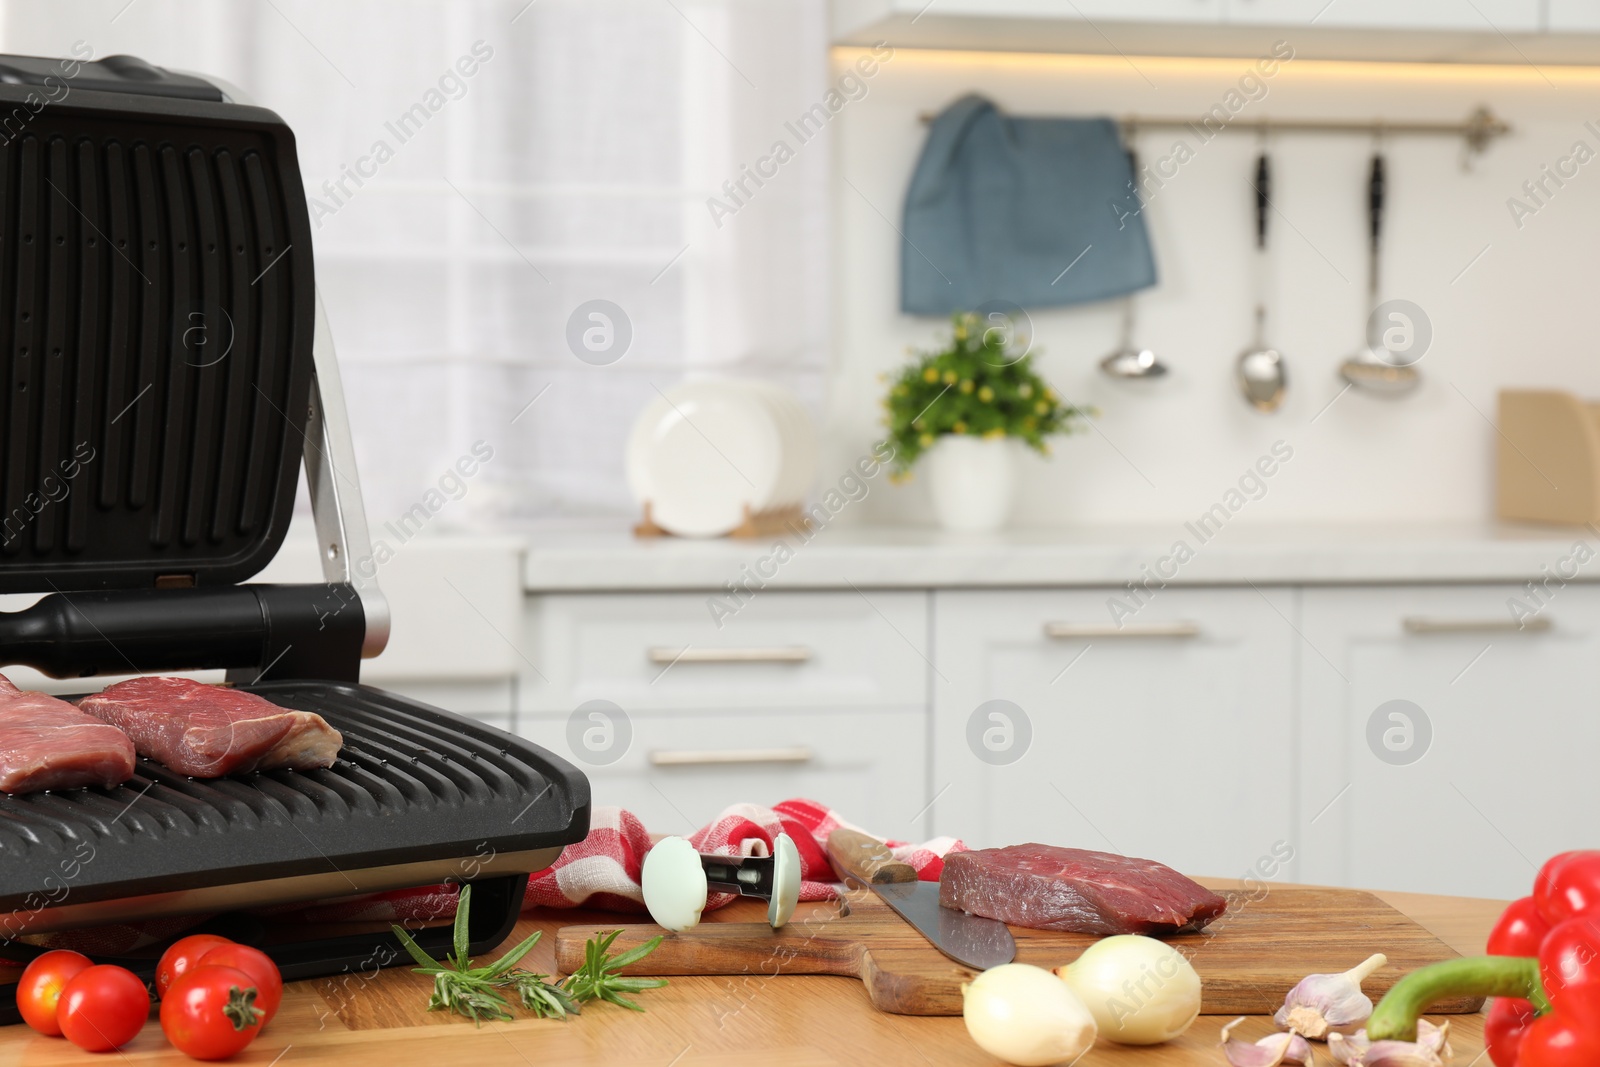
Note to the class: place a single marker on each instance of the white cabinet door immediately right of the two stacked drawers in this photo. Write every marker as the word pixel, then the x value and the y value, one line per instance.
pixel 1170 738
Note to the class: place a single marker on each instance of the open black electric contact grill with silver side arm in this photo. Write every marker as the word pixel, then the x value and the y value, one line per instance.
pixel 167 369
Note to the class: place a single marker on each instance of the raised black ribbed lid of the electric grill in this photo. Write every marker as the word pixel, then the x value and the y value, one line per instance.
pixel 156 329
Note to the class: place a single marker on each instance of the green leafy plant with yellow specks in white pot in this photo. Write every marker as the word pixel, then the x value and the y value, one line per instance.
pixel 967 407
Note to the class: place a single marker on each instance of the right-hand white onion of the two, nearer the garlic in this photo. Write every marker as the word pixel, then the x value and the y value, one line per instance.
pixel 1138 989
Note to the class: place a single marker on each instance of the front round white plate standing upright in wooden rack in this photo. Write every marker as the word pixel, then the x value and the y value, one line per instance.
pixel 703 454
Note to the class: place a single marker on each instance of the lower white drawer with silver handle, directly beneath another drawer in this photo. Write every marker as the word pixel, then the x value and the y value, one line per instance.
pixel 679 772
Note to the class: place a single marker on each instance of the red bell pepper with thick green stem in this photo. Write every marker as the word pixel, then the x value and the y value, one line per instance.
pixel 1543 969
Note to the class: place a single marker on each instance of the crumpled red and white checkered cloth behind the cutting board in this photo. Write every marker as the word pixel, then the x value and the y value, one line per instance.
pixel 599 873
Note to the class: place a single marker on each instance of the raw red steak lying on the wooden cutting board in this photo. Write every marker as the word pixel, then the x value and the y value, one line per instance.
pixel 1070 889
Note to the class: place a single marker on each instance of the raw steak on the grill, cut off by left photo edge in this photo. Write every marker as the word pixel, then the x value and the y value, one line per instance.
pixel 50 745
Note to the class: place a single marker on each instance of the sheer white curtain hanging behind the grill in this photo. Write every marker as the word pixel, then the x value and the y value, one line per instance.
pixel 540 156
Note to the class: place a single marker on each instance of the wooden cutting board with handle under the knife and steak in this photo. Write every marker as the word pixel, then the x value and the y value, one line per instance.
pixel 1247 961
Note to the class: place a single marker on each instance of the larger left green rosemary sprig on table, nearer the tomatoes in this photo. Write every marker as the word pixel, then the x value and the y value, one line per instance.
pixel 476 993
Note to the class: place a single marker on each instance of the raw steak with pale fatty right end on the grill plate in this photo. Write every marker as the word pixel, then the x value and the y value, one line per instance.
pixel 209 730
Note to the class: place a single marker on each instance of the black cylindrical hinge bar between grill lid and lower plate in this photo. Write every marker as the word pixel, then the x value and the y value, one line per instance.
pixel 262 633
